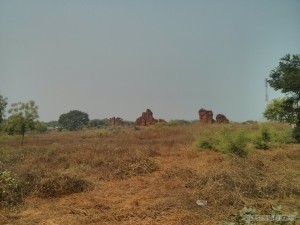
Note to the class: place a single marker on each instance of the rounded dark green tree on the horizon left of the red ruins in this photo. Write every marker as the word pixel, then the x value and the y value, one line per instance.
pixel 74 120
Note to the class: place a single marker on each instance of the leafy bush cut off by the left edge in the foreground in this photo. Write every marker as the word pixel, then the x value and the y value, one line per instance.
pixel 10 193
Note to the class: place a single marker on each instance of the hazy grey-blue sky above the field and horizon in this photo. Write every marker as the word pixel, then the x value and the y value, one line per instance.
pixel 120 57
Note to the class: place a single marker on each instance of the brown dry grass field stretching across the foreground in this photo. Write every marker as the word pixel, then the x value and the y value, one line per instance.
pixel 153 175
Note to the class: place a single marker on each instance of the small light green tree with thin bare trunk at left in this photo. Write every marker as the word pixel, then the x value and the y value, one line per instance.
pixel 23 118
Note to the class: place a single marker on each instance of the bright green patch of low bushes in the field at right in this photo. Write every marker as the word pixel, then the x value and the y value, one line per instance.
pixel 229 139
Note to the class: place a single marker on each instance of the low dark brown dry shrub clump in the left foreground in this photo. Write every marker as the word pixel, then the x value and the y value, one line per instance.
pixel 60 185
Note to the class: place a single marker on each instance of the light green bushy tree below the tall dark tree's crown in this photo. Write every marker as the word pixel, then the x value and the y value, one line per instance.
pixel 279 110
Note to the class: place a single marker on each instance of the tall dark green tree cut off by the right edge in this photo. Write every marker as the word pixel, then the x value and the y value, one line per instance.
pixel 286 78
